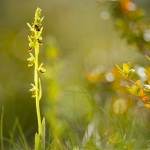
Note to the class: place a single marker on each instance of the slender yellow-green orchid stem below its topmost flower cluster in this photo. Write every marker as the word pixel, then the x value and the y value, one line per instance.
pixel 36 80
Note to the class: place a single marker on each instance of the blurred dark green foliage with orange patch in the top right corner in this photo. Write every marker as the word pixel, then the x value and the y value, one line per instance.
pixel 130 20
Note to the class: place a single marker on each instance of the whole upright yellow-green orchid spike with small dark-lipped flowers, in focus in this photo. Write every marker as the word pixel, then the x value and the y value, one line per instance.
pixel 34 43
